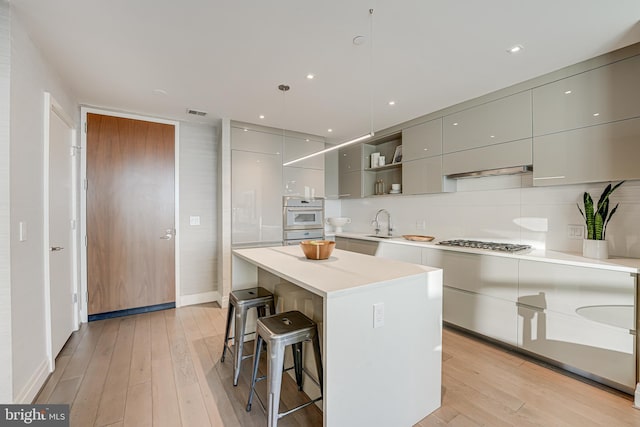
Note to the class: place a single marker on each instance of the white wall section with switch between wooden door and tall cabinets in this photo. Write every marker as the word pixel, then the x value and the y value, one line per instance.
pixel 198 197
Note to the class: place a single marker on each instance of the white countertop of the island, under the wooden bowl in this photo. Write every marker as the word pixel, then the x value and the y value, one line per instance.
pixel 342 272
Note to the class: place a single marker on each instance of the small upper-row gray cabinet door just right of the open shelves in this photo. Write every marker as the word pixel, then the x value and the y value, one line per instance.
pixel 423 140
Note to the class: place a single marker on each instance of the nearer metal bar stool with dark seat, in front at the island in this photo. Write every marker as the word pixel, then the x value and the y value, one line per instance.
pixel 290 328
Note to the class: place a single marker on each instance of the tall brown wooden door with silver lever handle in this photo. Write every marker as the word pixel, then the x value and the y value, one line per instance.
pixel 130 213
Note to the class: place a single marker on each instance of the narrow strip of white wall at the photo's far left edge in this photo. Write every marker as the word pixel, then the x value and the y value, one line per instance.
pixel 6 388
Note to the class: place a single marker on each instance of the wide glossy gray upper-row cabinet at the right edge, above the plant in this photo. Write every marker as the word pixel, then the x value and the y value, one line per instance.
pixel 602 95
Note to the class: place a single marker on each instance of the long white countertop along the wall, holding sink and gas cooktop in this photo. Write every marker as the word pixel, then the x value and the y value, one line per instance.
pixel 630 265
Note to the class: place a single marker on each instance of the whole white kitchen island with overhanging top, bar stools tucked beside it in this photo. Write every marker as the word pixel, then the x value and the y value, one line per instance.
pixel 381 327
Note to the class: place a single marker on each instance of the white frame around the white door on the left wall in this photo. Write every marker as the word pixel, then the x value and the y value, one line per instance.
pixel 51 106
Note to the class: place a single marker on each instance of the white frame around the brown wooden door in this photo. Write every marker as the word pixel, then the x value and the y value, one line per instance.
pixel 84 110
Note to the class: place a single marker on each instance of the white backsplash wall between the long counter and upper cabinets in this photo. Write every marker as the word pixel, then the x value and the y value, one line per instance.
pixel 505 209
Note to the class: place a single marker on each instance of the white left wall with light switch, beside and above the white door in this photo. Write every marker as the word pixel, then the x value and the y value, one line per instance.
pixel 31 76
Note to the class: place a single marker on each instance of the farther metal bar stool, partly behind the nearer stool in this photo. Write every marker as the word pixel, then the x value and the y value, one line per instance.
pixel 239 304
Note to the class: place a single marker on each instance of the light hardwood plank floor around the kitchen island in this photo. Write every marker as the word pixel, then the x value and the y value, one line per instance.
pixel 164 369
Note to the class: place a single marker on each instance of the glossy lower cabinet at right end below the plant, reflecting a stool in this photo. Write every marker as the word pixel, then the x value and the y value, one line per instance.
pixel 580 317
